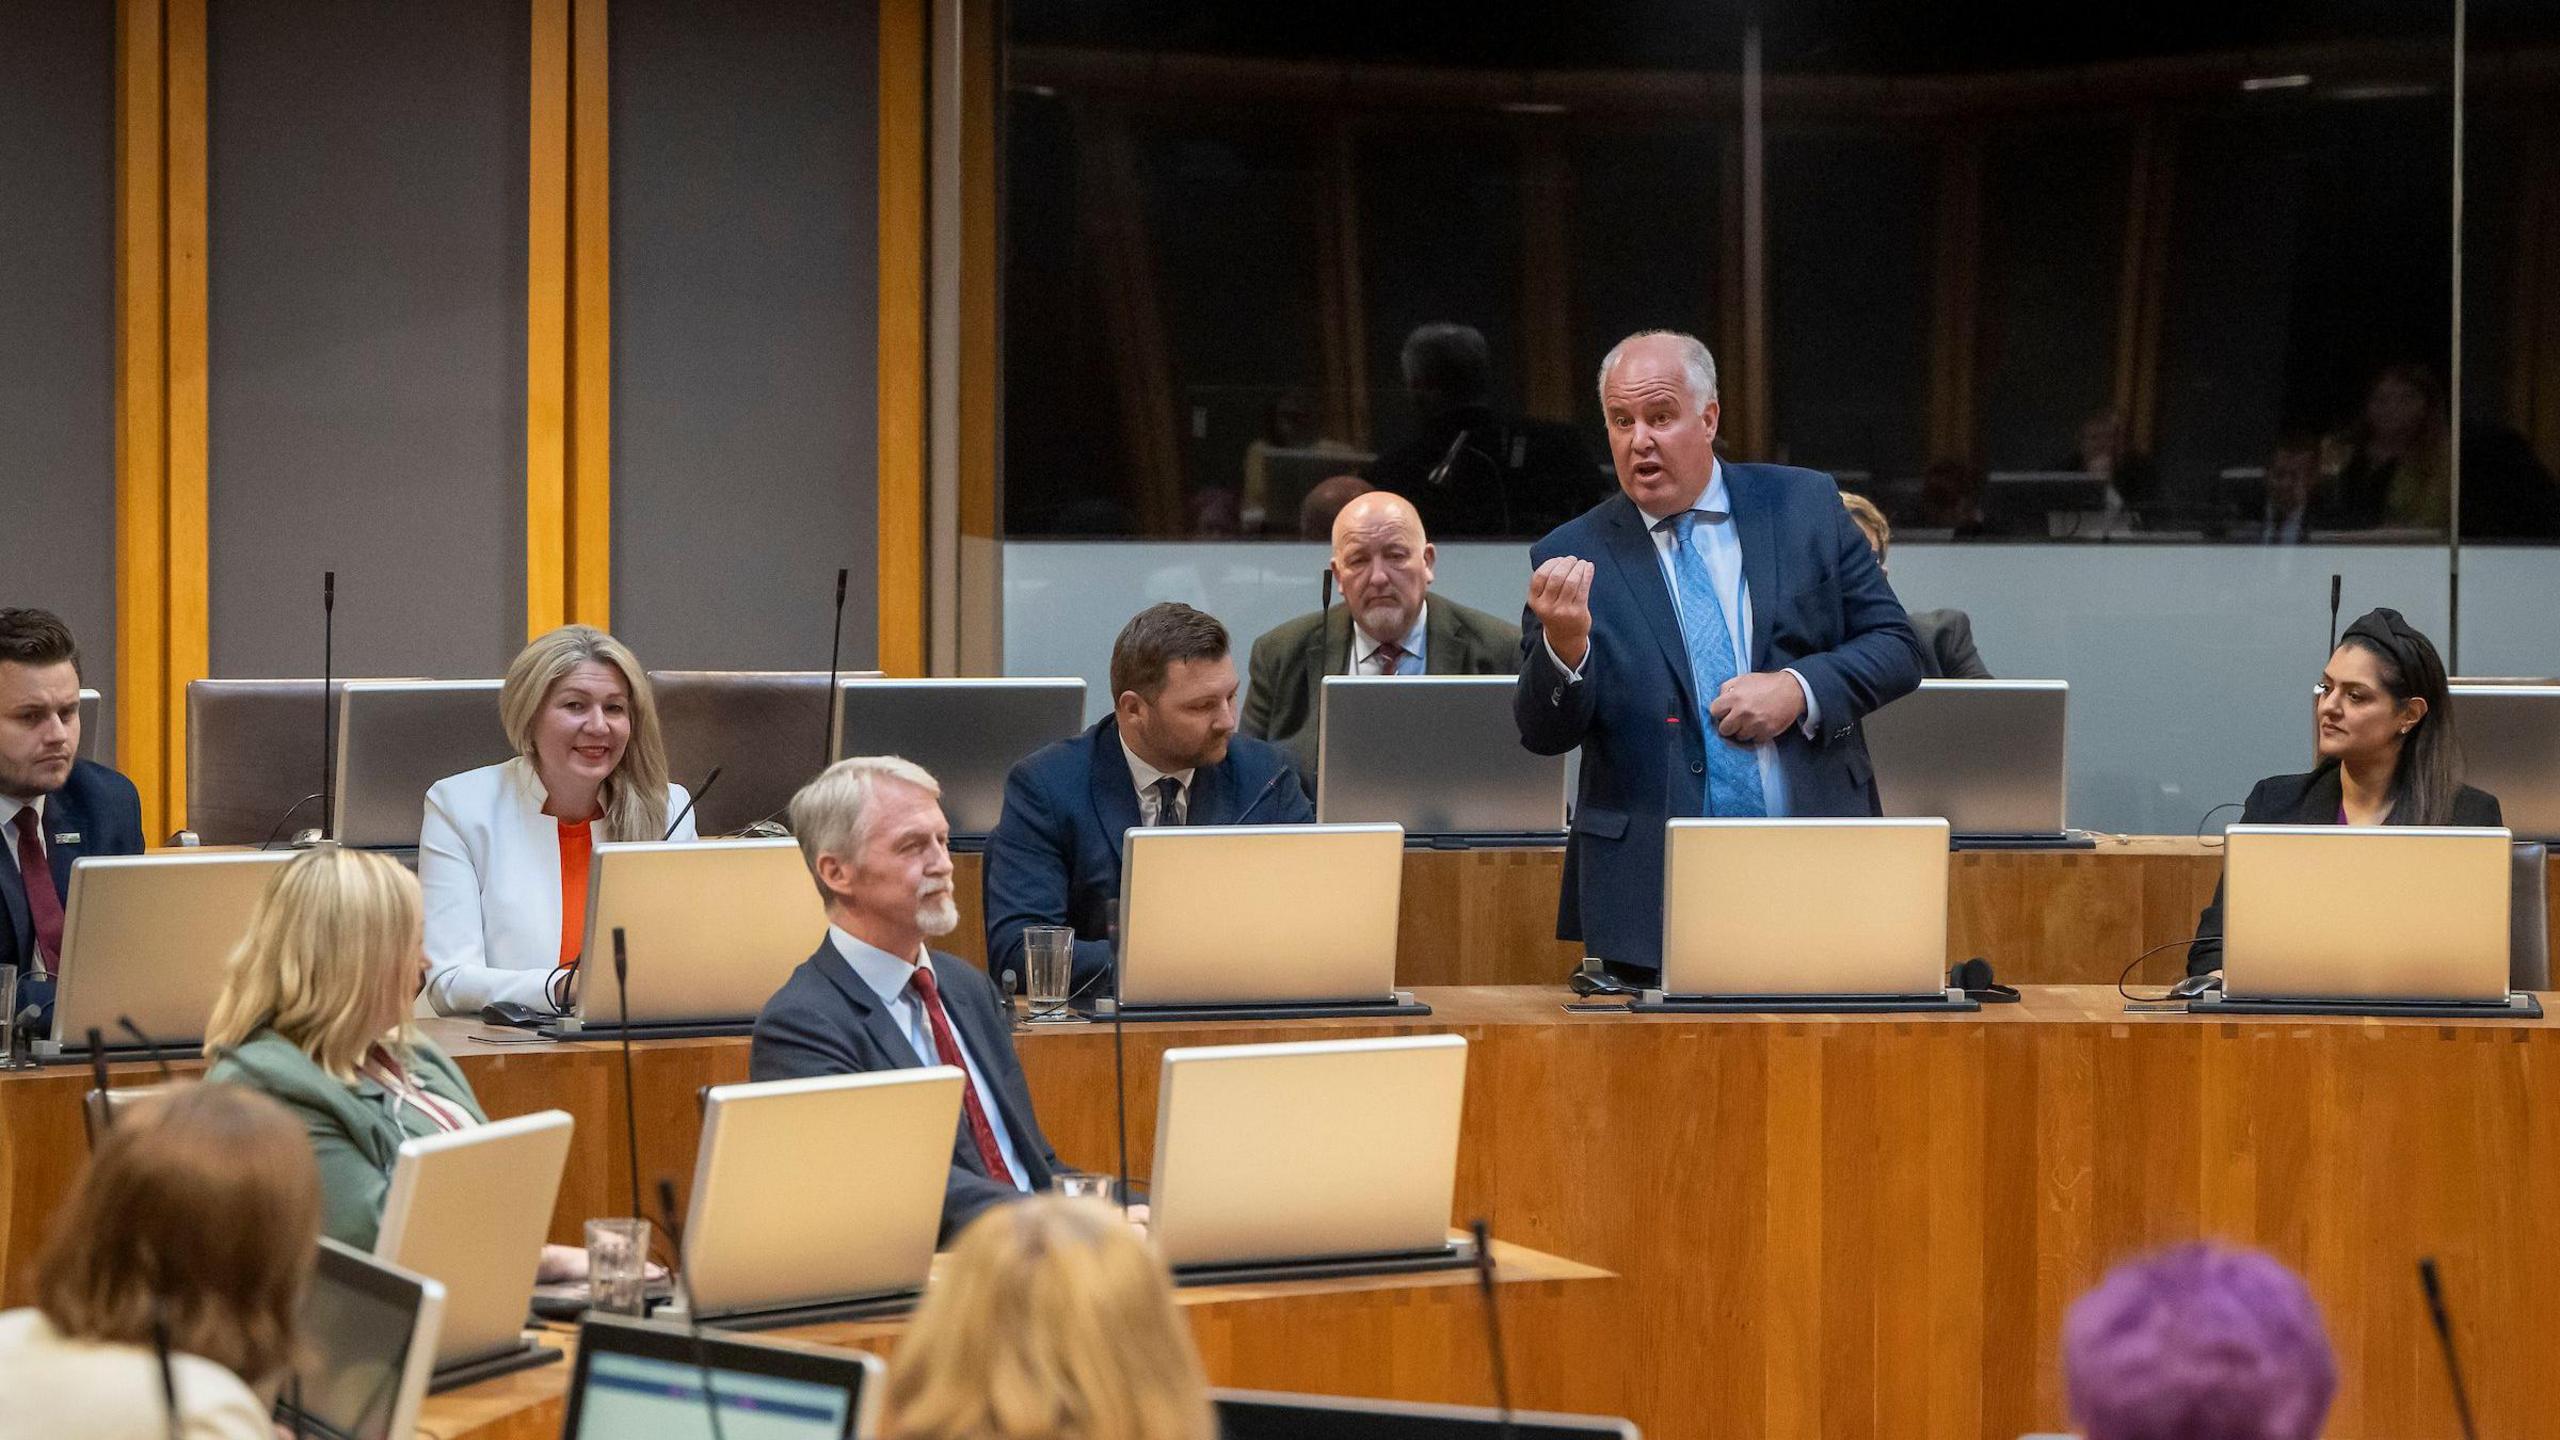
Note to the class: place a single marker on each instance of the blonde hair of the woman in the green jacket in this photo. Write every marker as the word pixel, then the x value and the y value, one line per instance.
pixel 329 960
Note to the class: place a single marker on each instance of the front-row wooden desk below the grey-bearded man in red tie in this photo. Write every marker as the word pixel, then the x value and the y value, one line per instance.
pixel 1271 1318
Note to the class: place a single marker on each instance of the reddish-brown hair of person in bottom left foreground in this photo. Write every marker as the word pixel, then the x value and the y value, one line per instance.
pixel 196 1221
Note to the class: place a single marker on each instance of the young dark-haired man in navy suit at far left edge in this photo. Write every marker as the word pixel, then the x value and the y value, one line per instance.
pixel 52 806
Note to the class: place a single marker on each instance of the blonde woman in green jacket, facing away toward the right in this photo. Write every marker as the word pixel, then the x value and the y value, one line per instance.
pixel 316 1013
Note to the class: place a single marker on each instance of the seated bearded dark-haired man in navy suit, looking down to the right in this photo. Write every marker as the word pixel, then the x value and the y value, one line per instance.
pixel 1169 755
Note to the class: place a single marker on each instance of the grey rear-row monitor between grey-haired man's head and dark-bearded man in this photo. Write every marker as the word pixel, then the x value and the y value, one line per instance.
pixel 966 732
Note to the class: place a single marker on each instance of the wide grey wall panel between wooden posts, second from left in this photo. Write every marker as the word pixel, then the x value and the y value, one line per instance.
pixel 367 334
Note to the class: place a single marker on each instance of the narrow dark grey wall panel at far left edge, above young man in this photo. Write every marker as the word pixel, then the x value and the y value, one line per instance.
pixel 58 324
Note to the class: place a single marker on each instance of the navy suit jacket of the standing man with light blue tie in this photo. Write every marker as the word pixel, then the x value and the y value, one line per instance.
pixel 1819 606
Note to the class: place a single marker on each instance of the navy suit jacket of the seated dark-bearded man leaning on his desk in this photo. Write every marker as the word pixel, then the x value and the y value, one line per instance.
pixel 1053 857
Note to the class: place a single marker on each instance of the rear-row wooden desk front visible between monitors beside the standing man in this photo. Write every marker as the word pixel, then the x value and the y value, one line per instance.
pixel 2039 916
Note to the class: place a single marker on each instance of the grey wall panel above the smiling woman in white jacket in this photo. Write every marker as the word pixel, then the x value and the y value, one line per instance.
pixel 746 283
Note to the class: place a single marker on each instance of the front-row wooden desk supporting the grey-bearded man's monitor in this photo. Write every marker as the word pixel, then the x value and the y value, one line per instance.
pixel 1348 1336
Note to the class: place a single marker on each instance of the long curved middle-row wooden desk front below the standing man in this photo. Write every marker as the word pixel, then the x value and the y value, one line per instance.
pixel 1827 1226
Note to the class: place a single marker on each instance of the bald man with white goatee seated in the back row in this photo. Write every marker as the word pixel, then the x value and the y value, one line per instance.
pixel 1389 624
